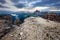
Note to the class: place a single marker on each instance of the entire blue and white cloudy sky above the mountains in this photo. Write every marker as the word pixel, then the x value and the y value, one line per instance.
pixel 30 5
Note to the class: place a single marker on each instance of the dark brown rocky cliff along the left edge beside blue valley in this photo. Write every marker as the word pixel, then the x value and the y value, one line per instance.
pixel 5 25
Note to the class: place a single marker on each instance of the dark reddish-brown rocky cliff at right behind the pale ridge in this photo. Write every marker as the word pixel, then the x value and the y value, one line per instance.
pixel 52 17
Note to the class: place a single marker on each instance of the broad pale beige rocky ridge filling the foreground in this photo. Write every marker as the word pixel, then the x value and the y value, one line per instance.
pixel 35 28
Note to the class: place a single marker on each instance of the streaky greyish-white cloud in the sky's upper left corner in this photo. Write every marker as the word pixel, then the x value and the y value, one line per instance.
pixel 10 6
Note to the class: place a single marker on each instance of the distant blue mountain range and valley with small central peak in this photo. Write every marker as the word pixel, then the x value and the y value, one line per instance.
pixel 23 15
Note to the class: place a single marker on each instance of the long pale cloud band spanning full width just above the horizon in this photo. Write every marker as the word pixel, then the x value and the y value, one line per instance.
pixel 32 9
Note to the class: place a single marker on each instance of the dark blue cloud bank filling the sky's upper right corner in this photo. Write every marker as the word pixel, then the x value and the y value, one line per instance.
pixel 48 3
